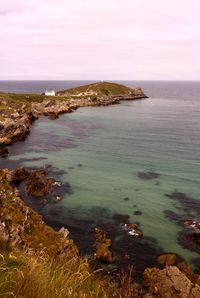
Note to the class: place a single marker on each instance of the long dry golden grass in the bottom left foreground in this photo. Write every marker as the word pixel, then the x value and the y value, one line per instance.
pixel 41 278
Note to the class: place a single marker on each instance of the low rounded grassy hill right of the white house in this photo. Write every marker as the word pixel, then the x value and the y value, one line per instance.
pixel 98 89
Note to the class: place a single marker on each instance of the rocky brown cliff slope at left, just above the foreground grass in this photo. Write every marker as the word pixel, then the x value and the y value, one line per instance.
pixel 22 228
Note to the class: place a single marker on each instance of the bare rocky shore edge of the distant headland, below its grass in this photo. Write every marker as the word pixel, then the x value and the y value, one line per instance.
pixel 15 121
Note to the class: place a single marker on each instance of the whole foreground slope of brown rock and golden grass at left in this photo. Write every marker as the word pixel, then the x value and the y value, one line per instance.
pixel 38 262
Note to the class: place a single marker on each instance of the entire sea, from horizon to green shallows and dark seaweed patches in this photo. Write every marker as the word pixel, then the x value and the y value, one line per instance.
pixel 135 162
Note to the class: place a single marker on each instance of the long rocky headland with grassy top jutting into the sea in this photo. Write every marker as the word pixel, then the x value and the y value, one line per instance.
pixel 18 111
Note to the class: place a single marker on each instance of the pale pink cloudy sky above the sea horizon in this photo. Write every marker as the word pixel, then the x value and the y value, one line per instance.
pixel 99 39
